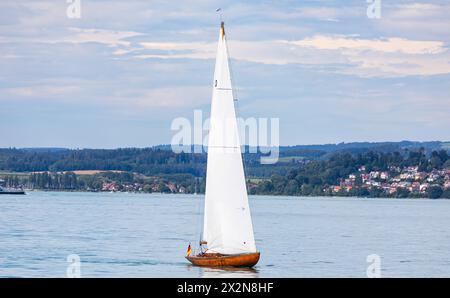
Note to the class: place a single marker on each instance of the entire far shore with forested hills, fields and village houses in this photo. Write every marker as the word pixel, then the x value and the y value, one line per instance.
pixel 394 170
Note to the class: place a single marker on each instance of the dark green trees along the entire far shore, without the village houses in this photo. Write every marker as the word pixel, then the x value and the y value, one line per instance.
pixel 162 170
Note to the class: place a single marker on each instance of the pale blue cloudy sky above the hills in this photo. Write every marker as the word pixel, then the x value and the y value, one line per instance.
pixel 118 75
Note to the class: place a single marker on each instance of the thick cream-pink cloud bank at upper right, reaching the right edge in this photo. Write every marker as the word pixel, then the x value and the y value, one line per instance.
pixel 388 57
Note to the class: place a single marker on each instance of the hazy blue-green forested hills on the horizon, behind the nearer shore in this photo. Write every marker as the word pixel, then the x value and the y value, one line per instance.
pixel 160 159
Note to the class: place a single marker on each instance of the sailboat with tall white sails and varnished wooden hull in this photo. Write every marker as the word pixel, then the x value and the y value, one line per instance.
pixel 227 238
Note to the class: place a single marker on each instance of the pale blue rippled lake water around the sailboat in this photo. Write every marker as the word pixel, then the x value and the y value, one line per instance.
pixel 146 235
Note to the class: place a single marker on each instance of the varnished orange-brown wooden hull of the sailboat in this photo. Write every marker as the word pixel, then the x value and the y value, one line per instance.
pixel 216 260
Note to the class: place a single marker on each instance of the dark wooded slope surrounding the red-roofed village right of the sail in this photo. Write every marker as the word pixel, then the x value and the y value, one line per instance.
pixel 313 178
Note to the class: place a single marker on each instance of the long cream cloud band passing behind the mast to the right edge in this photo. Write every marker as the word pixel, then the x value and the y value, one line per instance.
pixel 387 57
